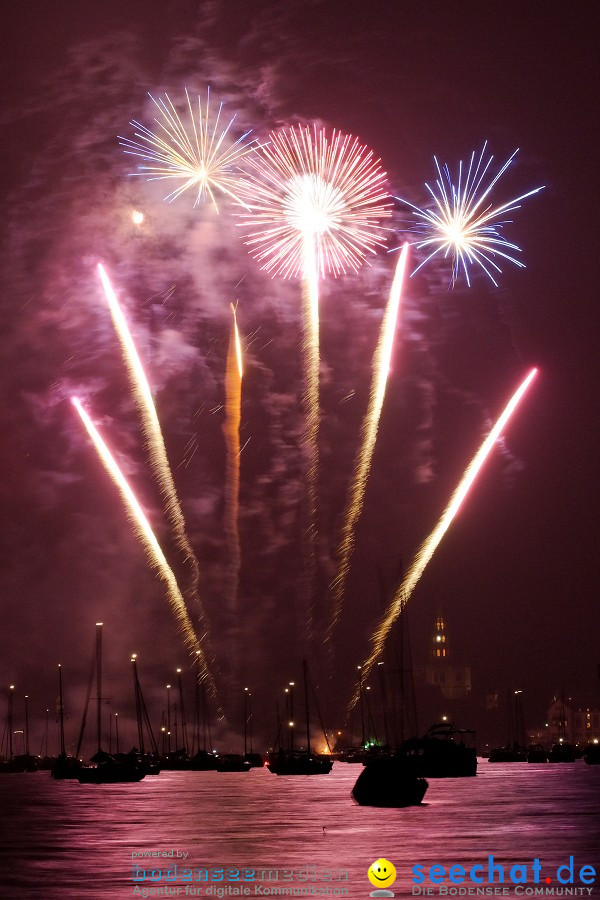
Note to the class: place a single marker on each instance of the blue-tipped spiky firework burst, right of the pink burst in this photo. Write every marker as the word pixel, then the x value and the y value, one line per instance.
pixel 460 224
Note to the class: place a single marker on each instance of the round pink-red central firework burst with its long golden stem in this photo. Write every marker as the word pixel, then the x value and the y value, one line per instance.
pixel 316 203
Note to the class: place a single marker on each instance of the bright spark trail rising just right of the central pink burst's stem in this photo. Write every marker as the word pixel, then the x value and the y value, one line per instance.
pixel 381 367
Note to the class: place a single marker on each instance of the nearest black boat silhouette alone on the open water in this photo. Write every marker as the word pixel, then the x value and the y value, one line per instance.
pixel 389 781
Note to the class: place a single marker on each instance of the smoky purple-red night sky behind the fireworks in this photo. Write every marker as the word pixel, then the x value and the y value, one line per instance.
pixel 516 577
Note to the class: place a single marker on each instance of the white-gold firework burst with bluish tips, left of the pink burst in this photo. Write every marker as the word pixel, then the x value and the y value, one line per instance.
pixel 201 156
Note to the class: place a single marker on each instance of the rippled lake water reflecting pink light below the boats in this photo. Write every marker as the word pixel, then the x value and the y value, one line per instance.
pixel 63 839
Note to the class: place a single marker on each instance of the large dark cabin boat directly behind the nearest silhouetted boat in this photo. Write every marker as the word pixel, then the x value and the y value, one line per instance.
pixel 445 751
